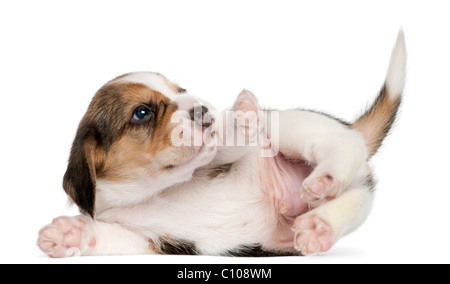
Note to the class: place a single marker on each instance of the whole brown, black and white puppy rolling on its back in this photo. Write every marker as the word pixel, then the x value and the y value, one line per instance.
pixel 154 170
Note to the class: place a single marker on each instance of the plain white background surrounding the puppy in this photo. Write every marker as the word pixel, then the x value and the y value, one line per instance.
pixel 325 55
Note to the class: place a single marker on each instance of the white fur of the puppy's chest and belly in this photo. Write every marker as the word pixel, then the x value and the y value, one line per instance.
pixel 217 217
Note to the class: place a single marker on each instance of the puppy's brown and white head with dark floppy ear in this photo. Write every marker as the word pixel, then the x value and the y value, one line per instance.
pixel 127 134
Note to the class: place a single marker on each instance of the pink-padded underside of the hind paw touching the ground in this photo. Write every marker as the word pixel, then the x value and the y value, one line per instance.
pixel 312 235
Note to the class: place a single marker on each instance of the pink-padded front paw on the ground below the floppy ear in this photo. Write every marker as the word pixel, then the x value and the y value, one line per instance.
pixel 65 237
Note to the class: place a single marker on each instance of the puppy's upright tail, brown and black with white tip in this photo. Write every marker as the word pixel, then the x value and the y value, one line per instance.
pixel 375 123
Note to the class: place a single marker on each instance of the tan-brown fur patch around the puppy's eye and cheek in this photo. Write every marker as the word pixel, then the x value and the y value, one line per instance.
pixel 137 149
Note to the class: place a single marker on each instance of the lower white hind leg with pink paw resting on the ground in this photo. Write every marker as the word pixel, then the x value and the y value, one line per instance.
pixel 318 230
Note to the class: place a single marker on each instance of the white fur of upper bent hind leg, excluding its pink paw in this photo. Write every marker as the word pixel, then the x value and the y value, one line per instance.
pixel 325 143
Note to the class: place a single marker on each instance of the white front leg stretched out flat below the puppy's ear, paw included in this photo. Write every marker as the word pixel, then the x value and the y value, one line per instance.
pixel 80 235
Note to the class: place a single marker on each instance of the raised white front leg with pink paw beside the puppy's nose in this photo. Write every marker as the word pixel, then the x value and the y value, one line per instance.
pixel 241 128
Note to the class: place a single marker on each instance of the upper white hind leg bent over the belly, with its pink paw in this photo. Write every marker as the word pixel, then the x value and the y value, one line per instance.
pixel 335 150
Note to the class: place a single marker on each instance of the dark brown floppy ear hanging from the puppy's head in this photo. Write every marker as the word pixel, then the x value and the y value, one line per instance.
pixel 80 177
